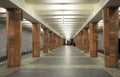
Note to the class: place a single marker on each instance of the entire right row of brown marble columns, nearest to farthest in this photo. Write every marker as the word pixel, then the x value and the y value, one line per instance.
pixel 87 40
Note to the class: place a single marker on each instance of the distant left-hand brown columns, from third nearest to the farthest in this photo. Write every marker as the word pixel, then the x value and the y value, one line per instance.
pixel 51 41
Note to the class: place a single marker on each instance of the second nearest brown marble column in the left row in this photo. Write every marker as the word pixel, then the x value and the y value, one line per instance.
pixel 36 39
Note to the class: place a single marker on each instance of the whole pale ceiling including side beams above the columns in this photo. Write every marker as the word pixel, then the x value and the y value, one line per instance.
pixel 64 17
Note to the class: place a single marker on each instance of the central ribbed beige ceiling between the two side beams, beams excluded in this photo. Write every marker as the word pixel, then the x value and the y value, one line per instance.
pixel 65 16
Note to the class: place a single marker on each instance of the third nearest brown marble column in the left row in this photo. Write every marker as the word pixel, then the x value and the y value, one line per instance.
pixel 45 44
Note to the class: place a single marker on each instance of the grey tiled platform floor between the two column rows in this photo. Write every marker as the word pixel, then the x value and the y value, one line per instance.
pixel 65 61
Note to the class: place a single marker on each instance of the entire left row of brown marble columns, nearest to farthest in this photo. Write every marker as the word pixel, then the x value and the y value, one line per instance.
pixel 14 38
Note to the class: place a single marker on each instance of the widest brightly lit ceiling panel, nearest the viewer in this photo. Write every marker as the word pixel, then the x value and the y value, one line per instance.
pixel 65 7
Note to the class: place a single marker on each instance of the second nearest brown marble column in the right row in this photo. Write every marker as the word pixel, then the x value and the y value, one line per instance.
pixel 93 39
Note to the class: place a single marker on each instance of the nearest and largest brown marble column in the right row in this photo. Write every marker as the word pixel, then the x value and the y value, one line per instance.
pixel 111 24
